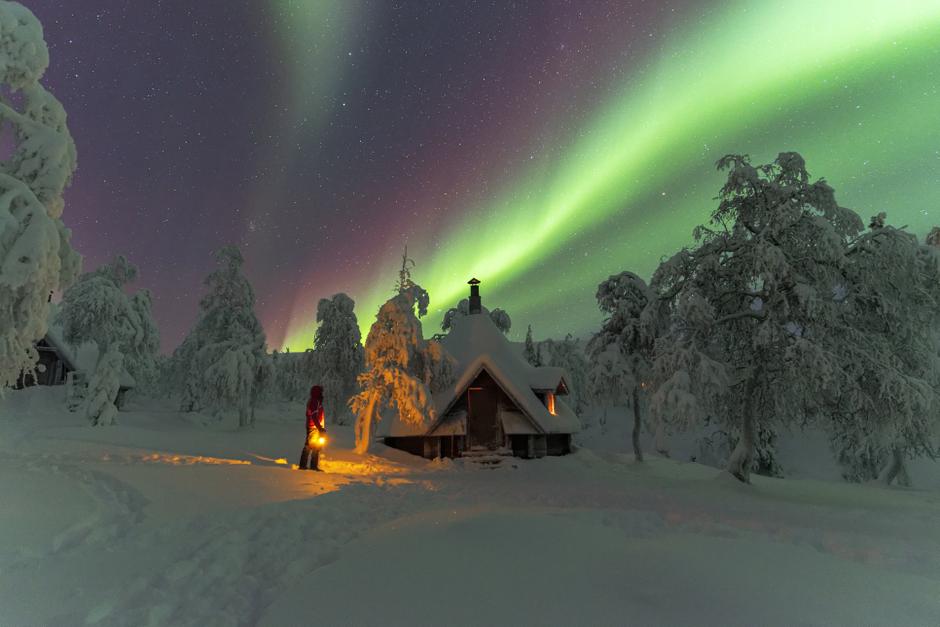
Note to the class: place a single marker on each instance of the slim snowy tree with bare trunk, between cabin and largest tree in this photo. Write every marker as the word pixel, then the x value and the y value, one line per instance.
pixel 621 353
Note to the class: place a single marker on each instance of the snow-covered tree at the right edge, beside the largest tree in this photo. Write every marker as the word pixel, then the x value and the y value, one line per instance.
pixel 888 410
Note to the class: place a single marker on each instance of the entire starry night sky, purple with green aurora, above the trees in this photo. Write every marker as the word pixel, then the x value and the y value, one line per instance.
pixel 539 146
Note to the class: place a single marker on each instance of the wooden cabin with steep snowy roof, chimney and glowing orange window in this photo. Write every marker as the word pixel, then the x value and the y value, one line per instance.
pixel 498 402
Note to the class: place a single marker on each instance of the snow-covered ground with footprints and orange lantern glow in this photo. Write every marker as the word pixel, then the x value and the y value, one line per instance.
pixel 163 520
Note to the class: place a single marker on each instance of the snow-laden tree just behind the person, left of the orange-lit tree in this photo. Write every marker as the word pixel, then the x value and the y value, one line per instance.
pixel 339 354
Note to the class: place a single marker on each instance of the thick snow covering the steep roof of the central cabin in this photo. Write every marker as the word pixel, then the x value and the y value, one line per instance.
pixel 477 344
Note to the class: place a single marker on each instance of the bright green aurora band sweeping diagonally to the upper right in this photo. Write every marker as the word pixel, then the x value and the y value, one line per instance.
pixel 852 85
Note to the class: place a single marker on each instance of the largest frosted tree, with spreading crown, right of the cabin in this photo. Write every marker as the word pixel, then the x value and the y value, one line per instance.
pixel 750 344
